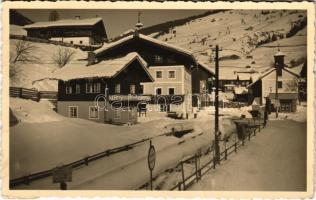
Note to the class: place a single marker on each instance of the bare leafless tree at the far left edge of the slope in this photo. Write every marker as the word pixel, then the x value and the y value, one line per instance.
pixel 23 53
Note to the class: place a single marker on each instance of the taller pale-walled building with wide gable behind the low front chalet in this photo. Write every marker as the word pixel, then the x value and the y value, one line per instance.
pixel 178 76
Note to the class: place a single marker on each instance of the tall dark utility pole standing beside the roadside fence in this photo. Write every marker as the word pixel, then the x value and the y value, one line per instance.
pixel 216 134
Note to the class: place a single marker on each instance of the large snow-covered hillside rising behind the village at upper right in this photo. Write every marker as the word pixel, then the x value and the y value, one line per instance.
pixel 247 37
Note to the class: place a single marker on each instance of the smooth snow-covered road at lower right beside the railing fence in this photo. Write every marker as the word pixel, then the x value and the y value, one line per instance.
pixel 274 160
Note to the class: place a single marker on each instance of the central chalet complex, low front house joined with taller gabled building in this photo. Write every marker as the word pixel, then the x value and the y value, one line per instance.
pixel 132 73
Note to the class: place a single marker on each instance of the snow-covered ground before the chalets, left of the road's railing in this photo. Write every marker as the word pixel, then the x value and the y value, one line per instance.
pixel 43 139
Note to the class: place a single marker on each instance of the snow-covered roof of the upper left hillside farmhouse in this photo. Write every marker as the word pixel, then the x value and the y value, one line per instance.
pixel 65 22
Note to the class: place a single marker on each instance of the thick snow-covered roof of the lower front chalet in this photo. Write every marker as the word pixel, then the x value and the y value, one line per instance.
pixel 107 68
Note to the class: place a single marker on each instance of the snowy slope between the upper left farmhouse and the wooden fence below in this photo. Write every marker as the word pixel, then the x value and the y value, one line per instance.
pixel 27 74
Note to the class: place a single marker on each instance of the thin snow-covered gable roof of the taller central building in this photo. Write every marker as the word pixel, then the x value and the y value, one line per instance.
pixel 144 37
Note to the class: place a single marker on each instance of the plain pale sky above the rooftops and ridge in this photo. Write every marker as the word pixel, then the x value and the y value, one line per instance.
pixel 116 21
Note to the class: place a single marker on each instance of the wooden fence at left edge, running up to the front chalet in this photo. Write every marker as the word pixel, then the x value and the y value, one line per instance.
pixel 32 94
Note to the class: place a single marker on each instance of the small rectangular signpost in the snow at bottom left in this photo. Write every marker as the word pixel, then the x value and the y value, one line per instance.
pixel 62 175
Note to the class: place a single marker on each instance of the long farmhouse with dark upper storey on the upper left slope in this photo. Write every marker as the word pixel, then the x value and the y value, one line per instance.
pixel 89 31
